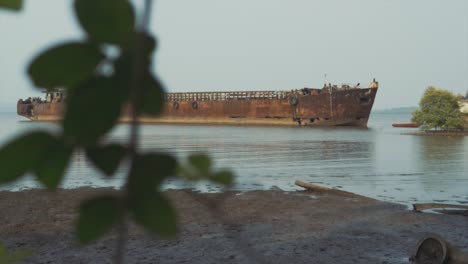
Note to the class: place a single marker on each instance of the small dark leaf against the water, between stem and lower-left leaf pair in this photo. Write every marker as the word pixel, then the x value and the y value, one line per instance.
pixel 106 158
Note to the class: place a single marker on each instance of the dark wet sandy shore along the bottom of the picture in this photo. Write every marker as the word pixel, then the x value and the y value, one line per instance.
pixel 253 227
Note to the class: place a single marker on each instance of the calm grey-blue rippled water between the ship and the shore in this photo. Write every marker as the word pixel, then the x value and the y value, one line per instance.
pixel 378 162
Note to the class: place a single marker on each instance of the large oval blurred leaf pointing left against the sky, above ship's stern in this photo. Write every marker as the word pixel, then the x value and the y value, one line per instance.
pixel 65 65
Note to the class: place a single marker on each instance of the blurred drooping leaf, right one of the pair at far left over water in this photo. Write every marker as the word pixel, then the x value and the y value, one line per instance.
pixel 51 169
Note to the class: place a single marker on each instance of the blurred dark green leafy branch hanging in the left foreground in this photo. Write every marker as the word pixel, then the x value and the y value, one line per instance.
pixel 101 87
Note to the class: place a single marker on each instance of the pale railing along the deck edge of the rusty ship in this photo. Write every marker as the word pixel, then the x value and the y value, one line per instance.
pixel 223 96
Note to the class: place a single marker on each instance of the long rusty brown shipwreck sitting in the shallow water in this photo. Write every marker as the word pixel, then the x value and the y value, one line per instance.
pixel 331 105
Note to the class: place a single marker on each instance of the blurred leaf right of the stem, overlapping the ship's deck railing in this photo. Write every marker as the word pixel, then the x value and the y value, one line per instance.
pixel 153 96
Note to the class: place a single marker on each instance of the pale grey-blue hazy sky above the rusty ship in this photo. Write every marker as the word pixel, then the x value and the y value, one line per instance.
pixel 215 45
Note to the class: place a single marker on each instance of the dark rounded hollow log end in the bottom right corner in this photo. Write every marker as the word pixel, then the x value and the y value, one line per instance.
pixel 433 250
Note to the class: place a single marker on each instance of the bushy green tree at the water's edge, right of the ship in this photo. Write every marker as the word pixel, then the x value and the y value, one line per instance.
pixel 438 109
